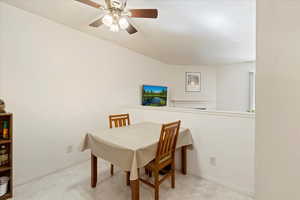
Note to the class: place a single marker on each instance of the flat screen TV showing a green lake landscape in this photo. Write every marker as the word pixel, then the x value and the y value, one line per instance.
pixel 154 95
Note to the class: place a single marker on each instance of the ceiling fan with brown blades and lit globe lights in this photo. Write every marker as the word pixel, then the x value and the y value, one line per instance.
pixel 115 15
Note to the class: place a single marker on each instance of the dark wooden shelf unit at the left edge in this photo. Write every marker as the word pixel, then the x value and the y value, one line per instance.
pixel 7 170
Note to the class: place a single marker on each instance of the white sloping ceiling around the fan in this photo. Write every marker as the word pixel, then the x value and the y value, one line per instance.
pixel 187 32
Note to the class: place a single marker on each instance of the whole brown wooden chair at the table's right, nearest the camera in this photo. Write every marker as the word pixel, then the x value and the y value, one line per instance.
pixel 165 155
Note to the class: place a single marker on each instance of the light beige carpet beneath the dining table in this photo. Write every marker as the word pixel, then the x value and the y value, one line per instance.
pixel 74 184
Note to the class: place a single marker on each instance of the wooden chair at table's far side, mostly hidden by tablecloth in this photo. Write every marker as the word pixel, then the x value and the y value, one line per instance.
pixel 117 121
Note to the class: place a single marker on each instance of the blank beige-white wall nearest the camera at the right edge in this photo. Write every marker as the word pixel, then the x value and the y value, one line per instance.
pixel 278 97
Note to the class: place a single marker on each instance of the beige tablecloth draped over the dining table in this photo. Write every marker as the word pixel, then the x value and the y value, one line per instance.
pixel 130 147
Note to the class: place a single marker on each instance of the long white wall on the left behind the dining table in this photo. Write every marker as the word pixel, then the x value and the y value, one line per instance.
pixel 59 83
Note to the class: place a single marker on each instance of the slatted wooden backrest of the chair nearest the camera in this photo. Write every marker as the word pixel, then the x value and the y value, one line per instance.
pixel 167 141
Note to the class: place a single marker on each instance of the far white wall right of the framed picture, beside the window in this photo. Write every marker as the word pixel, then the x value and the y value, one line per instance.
pixel 233 86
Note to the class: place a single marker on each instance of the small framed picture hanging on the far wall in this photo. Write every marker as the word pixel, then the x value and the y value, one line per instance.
pixel 193 82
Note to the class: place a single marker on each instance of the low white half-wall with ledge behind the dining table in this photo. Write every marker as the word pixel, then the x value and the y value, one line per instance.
pixel 231 142
